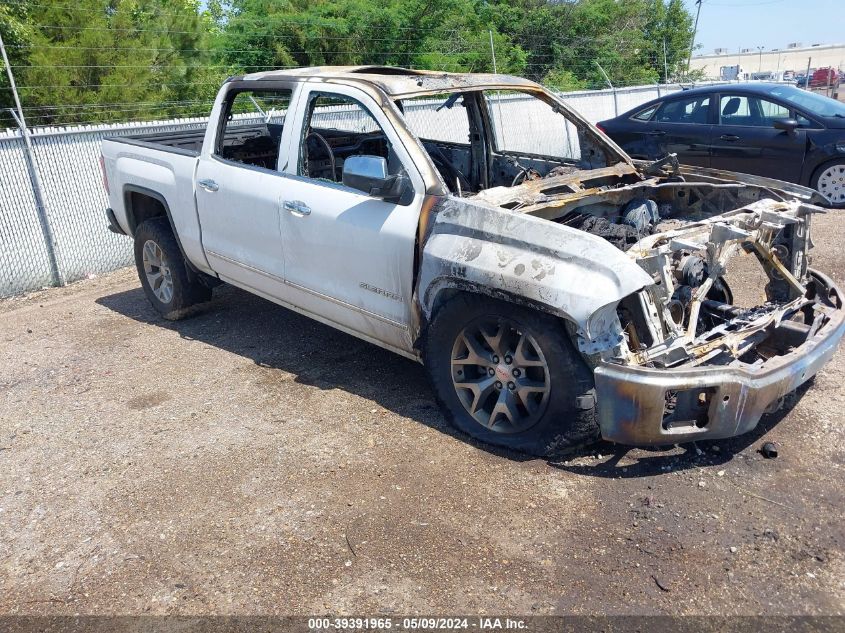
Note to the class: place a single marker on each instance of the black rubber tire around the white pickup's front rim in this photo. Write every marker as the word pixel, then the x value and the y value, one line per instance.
pixel 565 422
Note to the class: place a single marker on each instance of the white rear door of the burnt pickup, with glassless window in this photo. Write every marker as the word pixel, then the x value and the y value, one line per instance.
pixel 239 189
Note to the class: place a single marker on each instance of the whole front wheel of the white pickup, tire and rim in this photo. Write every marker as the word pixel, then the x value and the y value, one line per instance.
pixel 509 376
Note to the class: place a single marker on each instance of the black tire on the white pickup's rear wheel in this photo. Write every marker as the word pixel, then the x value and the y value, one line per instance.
pixel 187 293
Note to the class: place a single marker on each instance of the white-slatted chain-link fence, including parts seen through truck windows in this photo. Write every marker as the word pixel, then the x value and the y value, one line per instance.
pixel 68 163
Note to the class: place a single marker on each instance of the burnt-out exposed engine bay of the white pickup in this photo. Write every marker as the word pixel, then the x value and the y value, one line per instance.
pixel 686 235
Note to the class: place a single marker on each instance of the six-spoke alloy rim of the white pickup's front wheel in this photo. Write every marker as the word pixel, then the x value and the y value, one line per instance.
pixel 500 375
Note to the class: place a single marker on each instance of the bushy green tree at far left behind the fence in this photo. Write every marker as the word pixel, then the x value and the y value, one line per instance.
pixel 106 60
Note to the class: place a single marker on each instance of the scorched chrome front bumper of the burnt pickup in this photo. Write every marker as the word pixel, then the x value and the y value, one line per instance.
pixel 632 400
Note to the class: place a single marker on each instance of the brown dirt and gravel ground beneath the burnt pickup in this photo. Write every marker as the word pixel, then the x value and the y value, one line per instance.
pixel 250 461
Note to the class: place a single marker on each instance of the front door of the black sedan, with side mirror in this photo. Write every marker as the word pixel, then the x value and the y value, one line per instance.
pixel 746 141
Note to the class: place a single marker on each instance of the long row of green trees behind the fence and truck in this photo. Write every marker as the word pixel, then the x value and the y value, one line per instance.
pixel 110 60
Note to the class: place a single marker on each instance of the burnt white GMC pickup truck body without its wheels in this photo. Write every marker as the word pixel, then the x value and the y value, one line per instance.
pixel 264 208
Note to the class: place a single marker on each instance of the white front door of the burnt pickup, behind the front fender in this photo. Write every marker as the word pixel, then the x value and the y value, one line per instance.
pixel 349 256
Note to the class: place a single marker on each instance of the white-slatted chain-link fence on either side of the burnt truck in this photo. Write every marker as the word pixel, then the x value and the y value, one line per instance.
pixel 67 160
